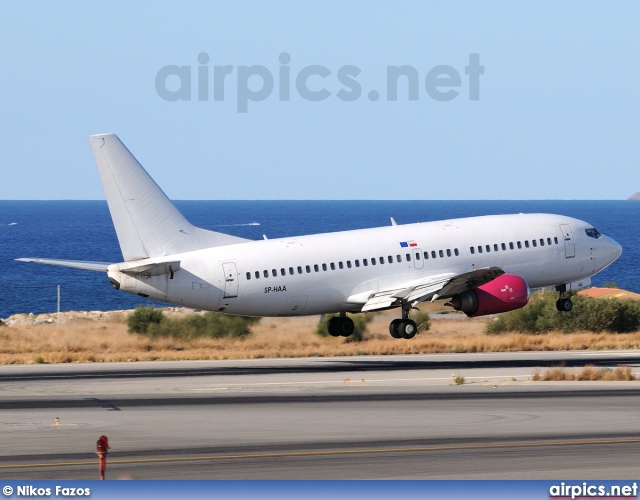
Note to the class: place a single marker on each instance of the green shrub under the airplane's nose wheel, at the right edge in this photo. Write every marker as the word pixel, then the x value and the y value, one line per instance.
pixel 593 315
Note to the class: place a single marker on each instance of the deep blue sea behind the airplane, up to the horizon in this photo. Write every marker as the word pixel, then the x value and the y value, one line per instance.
pixel 82 230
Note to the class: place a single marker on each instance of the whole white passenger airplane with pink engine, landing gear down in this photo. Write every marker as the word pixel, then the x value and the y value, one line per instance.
pixel 482 265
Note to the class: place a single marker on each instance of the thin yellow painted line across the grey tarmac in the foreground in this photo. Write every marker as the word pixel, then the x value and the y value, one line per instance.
pixel 333 453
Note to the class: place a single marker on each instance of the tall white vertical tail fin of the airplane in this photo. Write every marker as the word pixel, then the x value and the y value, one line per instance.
pixel 146 222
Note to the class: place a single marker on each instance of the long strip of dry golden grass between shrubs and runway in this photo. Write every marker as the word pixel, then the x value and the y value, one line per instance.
pixel 108 340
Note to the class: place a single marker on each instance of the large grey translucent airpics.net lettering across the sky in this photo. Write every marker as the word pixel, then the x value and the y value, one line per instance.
pixel 257 82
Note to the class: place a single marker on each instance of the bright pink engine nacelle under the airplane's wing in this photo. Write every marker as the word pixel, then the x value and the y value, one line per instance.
pixel 505 293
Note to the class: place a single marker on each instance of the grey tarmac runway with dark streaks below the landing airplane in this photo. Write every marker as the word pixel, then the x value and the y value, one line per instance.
pixel 395 417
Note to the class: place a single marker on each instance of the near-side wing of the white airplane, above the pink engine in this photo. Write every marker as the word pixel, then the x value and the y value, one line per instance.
pixel 432 288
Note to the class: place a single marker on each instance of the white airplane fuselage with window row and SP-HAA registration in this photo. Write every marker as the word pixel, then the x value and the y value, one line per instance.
pixel 334 272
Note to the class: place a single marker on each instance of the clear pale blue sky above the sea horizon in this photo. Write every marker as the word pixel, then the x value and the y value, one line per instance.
pixel 556 115
